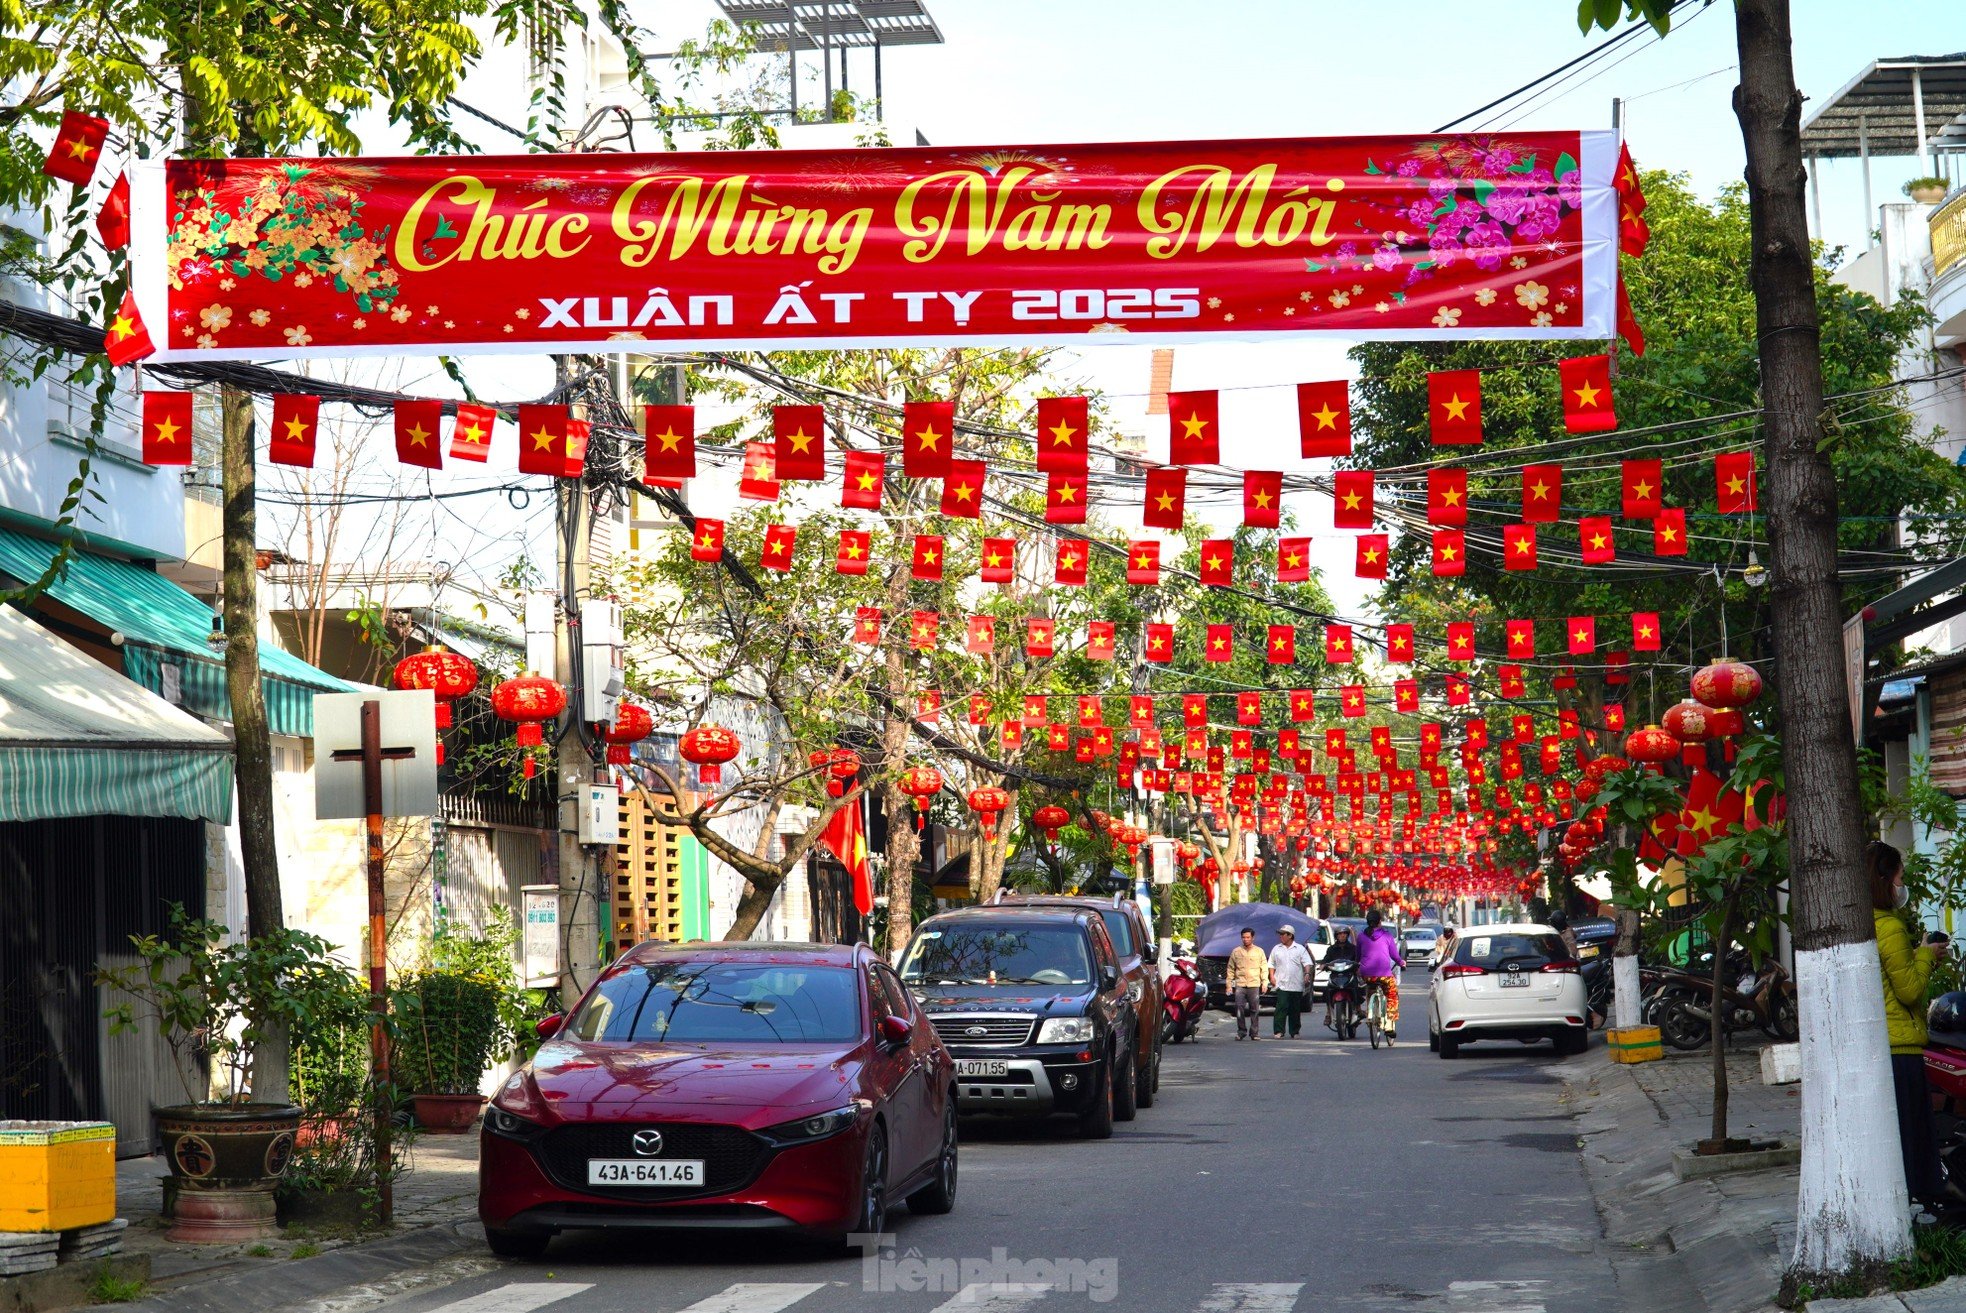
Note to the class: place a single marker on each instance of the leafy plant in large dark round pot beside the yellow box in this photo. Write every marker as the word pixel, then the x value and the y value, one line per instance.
pixel 215 1003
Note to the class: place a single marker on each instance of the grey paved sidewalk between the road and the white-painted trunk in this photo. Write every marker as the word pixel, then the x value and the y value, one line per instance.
pixel 1711 1245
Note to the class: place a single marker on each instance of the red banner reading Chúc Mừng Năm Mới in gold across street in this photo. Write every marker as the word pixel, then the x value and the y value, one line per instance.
pixel 1460 237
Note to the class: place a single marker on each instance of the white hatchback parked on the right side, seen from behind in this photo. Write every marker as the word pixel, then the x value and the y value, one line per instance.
pixel 1509 984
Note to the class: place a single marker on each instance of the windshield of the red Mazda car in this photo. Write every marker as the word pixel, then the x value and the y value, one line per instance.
pixel 723 1003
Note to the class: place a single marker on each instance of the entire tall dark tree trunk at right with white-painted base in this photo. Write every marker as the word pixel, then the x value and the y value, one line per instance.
pixel 1853 1208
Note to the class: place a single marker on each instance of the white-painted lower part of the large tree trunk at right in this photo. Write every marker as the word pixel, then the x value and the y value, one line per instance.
pixel 1853 1206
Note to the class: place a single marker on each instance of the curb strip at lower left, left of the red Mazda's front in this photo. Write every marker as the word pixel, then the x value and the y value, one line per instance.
pixel 278 1284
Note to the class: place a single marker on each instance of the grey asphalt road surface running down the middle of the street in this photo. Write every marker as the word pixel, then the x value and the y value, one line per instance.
pixel 1283 1176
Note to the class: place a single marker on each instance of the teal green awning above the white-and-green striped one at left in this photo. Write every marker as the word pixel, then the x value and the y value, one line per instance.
pixel 164 626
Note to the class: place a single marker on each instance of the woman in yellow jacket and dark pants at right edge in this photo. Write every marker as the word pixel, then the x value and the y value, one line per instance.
pixel 1906 970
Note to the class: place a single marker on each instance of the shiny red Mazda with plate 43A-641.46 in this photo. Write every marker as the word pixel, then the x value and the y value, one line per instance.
pixel 724 1086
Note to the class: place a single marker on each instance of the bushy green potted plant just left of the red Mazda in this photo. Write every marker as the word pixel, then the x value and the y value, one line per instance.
pixel 447 1039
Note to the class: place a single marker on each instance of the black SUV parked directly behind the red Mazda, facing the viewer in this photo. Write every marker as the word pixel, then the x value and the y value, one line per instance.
pixel 1033 1007
